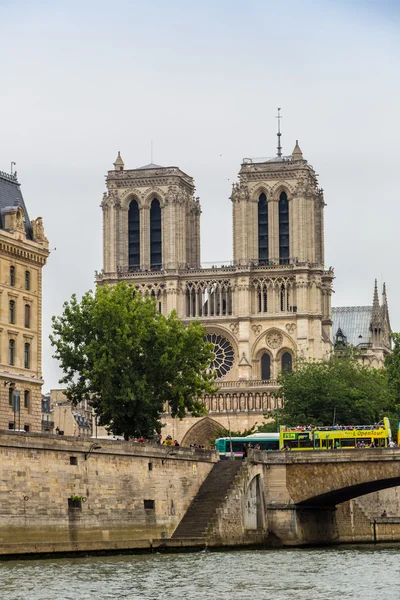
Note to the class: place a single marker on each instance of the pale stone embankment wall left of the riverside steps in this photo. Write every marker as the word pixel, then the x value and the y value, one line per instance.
pixel 123 491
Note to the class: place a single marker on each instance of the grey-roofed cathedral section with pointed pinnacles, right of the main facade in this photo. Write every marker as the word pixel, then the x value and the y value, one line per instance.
pixel 366 328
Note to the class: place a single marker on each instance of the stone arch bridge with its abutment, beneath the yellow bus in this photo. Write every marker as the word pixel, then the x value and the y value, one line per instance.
pixel 291 497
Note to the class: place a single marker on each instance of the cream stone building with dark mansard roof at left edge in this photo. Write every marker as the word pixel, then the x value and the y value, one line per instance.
pixel 23 253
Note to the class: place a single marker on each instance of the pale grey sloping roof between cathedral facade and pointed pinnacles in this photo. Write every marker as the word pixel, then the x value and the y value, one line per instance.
pixel 354 321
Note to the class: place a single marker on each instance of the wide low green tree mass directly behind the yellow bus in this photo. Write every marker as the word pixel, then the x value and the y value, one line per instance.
pixel 340 389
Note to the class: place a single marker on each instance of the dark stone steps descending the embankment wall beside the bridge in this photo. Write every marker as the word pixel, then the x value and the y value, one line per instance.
pixel 208 499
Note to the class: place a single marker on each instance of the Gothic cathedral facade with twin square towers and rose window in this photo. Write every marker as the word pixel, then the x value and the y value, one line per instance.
pixel 269 306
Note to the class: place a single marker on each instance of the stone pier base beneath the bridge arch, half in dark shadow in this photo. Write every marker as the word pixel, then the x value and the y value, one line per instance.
pixel 301 525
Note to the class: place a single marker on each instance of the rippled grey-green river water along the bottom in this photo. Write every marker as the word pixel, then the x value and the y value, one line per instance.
pixel 362 572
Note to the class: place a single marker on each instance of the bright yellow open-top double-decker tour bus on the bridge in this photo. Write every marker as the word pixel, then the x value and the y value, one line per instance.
pixel 335 437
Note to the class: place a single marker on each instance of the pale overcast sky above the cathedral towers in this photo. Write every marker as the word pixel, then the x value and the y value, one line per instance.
pixel 80 81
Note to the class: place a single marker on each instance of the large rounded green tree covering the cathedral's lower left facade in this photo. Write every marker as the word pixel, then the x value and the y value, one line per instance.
pixel 120 353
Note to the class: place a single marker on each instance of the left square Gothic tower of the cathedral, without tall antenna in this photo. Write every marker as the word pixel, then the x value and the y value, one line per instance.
pixel 151 219
